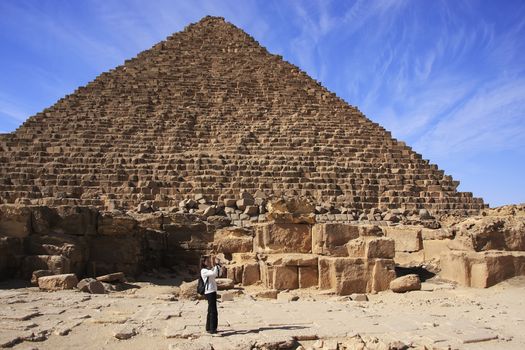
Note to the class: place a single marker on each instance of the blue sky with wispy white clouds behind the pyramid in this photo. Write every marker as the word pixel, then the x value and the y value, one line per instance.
pixel 447 77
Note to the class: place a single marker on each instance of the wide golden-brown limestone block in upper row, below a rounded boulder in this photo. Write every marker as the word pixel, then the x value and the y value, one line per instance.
pixel 282 238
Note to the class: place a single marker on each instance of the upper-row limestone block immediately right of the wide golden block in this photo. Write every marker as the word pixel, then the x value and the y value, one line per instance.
pixel 330 239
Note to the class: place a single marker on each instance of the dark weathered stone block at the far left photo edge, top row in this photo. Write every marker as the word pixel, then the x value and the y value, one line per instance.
pixel 15 221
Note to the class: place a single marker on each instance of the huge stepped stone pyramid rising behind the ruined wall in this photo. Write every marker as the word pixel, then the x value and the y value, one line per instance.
pixel 210 111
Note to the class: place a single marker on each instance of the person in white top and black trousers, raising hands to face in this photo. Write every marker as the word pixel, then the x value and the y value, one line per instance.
pixel 211 269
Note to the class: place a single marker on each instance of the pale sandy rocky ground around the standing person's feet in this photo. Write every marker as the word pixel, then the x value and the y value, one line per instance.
pixel 151 316
